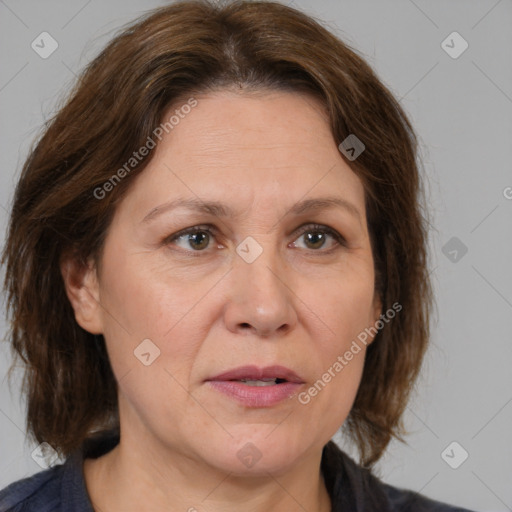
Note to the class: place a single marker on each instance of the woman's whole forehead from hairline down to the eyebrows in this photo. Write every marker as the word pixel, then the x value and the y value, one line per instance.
pixel 269 149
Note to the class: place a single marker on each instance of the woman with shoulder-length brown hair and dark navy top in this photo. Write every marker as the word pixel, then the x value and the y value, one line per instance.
pixel 216 258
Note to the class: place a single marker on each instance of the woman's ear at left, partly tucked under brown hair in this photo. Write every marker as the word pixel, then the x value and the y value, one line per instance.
pixel 82 288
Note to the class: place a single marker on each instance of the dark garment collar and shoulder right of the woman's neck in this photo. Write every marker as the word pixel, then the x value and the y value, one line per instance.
pixel 355 488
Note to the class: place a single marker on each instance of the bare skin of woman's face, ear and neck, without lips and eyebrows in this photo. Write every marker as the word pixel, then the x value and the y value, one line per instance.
pixel 210 311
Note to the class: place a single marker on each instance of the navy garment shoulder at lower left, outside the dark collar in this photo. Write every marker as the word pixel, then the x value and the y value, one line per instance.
pixel 39 492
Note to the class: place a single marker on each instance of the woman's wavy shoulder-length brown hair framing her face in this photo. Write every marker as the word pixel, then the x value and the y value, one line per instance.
pixel 174 52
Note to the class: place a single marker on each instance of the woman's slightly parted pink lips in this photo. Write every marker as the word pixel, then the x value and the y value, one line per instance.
pixel 257 387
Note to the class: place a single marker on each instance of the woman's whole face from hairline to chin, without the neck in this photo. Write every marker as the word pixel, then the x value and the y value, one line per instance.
pixel 264 271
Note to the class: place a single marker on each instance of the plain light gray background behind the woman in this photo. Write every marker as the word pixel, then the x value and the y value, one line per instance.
pixel 461 109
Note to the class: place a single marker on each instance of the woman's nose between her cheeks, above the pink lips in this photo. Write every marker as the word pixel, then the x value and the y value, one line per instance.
pixel 261 298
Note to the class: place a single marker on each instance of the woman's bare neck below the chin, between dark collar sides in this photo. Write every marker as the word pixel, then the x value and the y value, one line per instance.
pixel 134 476
